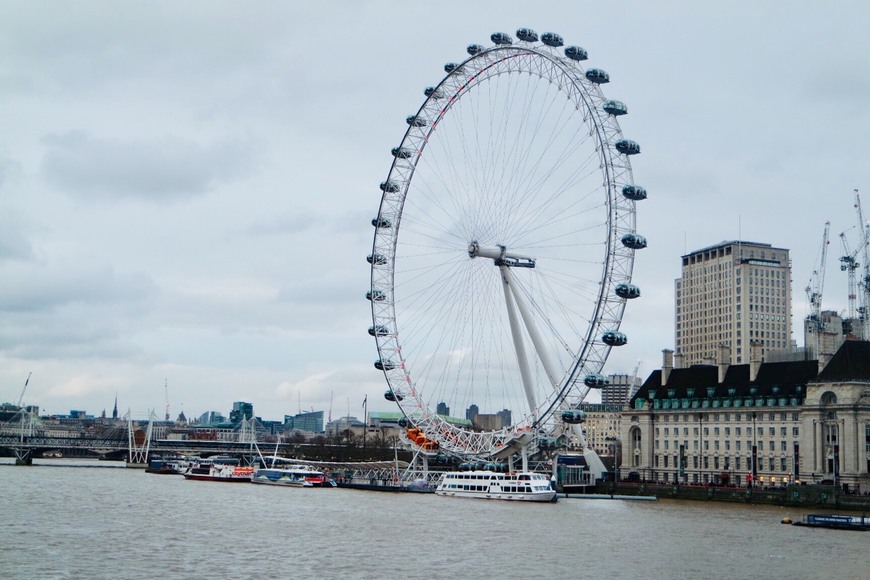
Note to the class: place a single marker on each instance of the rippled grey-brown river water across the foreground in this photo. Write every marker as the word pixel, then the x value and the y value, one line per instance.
pixel 79 522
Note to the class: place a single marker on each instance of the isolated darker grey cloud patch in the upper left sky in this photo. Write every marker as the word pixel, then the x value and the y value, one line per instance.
pixel 157 170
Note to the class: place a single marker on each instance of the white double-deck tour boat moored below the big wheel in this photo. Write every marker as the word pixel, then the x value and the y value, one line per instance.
pixel 519 486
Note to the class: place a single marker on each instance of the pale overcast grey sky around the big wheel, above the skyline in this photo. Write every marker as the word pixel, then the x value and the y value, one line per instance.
pixel 186 189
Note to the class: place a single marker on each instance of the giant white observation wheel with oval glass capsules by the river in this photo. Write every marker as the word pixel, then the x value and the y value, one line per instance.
pixel 504 245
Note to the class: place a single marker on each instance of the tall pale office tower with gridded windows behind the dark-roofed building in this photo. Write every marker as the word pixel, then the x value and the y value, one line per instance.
pixel 730 296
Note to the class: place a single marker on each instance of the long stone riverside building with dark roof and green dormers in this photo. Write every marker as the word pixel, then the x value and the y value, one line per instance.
pixel 760 424
